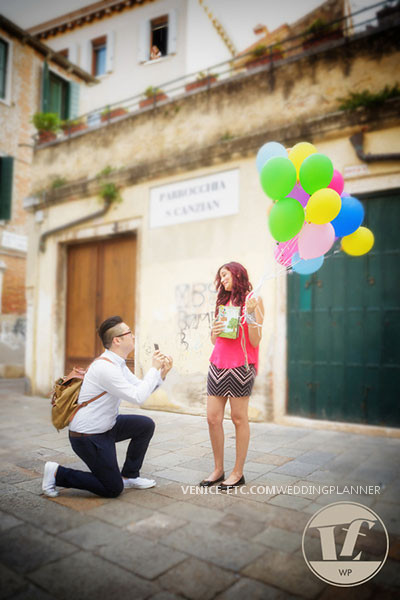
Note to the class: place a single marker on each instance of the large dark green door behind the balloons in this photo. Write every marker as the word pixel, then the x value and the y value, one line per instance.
pixel 344 329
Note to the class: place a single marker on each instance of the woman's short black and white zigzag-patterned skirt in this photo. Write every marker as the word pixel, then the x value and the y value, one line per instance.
pixel 236 383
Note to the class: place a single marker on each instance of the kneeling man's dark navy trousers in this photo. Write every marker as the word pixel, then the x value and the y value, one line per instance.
pixel 99 453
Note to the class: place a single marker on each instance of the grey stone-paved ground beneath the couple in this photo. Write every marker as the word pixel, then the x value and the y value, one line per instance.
pixel 166 544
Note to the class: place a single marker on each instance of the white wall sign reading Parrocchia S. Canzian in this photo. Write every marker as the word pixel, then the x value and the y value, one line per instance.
pixel 195 199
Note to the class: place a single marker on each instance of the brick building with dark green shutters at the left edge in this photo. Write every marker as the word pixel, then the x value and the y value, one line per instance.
pixel 22 58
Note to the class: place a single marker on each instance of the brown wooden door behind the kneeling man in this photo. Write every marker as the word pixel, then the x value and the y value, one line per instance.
pixel 101 282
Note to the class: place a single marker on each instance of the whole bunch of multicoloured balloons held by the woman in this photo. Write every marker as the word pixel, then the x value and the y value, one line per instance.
pixel 310 209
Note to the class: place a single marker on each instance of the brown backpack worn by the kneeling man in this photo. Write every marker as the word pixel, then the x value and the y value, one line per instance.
pixel 64 399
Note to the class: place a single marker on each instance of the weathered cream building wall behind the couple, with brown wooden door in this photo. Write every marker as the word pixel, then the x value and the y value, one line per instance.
pixel 188 146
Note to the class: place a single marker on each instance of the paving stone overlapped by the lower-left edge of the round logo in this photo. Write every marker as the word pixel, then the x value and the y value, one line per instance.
pixel 285 571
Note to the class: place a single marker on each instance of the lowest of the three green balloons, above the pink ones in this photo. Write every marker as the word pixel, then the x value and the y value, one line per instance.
pixel 286 219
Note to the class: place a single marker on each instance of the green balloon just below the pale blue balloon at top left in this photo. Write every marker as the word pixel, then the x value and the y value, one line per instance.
pixel 278 177
